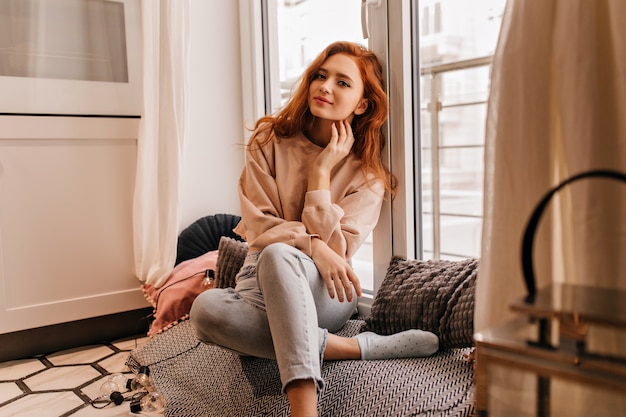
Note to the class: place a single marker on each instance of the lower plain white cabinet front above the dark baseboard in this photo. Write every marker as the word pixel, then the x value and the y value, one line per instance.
pixel 66 191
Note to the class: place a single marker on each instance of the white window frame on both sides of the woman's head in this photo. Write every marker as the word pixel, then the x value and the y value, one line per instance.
pixel 391 35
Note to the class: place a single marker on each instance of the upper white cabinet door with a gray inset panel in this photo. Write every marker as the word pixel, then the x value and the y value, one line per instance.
pixel 72 57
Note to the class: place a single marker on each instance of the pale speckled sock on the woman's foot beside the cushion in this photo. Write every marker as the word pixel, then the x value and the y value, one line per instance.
pixel 406 344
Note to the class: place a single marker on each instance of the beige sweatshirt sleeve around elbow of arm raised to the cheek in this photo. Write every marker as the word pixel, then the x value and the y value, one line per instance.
pixel 344 225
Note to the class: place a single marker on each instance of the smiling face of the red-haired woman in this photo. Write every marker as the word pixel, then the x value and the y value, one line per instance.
pixel 336 92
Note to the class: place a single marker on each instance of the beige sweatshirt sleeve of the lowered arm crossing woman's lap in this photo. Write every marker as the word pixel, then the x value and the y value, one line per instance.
pixel 263 220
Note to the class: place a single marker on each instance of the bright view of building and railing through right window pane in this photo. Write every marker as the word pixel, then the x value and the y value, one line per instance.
pixel 454 85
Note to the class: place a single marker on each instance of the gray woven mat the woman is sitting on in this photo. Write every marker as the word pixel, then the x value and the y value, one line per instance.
pixel 207 381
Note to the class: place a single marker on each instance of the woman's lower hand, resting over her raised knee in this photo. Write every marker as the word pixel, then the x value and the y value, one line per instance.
pixel 337 273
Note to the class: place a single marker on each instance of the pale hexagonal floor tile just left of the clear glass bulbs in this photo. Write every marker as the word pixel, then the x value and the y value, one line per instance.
pixel 65 377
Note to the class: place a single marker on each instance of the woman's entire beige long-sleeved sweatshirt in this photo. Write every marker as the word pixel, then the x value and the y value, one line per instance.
pixel 276 207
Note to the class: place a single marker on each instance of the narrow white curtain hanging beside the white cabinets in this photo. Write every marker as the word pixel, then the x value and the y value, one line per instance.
pixel 161 137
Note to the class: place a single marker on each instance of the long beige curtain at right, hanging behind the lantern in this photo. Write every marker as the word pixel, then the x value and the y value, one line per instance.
pixel 557 107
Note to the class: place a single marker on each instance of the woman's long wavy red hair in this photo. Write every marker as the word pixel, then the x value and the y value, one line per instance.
pixel 367 128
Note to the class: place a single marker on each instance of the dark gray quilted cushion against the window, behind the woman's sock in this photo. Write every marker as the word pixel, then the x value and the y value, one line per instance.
pixel 437 296
